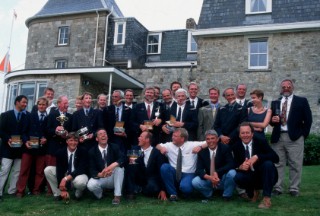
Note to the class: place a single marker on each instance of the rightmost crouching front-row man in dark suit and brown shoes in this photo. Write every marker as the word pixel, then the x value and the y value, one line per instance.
pixel 254 161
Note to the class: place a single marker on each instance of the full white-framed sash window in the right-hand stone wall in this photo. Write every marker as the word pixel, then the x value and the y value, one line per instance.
pixel 258 53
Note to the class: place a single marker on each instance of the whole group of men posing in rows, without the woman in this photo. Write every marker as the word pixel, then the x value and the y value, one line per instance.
pixel 181 143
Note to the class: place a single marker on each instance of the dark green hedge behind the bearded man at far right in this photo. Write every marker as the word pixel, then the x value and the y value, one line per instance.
pixel 311 149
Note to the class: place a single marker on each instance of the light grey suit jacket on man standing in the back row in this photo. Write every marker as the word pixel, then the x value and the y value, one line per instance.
pixel 205 121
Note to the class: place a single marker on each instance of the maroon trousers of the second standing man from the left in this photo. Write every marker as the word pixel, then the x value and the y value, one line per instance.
pixel 26 163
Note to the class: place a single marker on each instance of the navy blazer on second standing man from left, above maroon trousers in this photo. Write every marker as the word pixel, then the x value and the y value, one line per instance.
pixel 37 129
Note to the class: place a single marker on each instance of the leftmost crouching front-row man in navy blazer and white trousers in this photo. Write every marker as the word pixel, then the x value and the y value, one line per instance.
pixel 70 170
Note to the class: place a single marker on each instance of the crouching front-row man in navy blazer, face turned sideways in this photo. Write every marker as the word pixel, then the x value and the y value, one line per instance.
pixel 145 172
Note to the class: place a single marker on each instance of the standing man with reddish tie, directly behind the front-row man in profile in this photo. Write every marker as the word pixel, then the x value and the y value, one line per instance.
pixel 139 116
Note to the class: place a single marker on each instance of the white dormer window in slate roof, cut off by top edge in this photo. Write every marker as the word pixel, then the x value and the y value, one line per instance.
pixel 258 6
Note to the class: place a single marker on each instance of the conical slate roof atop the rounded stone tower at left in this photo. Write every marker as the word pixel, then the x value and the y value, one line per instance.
pixel 67 7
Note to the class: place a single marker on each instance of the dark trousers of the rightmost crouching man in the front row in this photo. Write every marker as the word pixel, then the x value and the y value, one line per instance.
pixel 263 177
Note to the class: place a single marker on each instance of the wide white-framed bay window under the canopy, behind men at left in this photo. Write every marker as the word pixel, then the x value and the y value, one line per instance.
pixel 32 90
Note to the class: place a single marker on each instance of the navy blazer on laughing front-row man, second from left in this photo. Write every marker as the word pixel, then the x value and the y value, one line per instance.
pixel 96 163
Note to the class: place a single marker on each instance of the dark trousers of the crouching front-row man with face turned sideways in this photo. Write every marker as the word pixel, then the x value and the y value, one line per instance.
pixel 134 177
